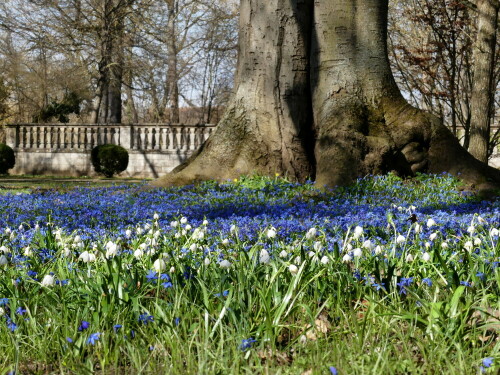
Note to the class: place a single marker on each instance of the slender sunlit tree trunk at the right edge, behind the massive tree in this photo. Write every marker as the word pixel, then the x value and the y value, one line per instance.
pixel 483 88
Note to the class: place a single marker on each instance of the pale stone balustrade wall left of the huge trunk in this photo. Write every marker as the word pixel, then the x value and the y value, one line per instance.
pixel 54 149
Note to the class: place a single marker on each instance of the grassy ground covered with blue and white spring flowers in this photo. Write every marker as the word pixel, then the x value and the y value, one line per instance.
pixel 250 276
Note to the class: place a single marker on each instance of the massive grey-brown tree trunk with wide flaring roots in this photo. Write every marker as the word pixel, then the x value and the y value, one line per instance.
pixel 324 85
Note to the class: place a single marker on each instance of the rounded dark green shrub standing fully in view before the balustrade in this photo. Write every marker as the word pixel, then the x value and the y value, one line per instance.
pixel 109 159
